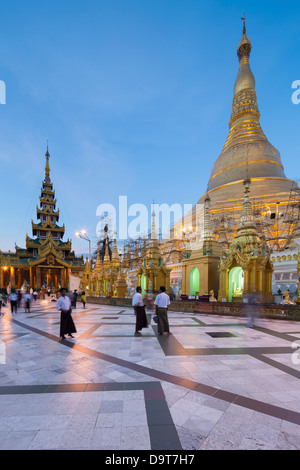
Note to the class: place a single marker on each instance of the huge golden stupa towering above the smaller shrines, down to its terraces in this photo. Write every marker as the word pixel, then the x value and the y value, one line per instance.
pixel 247 146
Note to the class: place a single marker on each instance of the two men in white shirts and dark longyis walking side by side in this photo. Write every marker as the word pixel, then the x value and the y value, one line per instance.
pixel 161 303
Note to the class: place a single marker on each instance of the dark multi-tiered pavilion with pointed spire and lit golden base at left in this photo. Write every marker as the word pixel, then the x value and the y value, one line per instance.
pixel 47 261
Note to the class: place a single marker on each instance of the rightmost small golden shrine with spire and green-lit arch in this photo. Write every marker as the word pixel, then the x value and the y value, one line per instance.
pixel 246 269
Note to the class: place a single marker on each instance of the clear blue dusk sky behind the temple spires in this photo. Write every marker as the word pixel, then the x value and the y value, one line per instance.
pixel 134 97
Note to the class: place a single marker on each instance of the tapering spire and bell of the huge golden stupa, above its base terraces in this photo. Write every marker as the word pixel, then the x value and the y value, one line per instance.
pixel 245 136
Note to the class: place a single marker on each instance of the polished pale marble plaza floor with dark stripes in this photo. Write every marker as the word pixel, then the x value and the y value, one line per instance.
pixel 214 384
